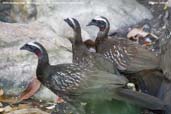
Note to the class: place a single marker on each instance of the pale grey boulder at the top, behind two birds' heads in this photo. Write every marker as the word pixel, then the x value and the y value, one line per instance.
pixel 120 13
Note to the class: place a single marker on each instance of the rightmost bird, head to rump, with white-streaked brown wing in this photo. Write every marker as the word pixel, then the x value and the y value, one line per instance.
pixel 128 56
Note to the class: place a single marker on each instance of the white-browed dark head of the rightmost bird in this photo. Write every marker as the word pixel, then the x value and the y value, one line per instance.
pixel 101 22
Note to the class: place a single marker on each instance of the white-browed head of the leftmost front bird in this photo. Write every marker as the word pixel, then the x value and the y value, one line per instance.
pixel 34 47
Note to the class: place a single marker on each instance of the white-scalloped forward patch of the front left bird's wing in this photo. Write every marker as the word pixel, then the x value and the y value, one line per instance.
pixel 67 78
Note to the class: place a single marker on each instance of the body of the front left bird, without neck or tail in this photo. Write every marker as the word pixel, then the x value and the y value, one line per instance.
pixel 80 82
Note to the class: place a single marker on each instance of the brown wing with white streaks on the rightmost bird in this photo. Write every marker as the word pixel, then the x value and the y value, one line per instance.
pixel 128 55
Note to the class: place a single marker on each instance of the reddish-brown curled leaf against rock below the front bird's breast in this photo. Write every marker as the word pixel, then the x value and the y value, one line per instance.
pixel 31 89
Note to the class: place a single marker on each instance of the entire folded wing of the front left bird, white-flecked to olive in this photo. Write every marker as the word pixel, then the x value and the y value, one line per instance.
pixel 77 81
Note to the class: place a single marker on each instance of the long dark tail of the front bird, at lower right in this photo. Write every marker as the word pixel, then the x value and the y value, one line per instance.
pixel 140 99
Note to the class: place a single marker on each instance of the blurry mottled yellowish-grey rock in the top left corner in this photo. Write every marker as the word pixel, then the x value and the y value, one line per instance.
pixel 17 11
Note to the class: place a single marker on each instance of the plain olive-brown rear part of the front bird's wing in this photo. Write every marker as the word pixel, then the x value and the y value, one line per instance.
pixel 100 79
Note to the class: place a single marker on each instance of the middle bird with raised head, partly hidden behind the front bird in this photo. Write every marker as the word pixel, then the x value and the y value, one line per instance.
pixel 80 49
